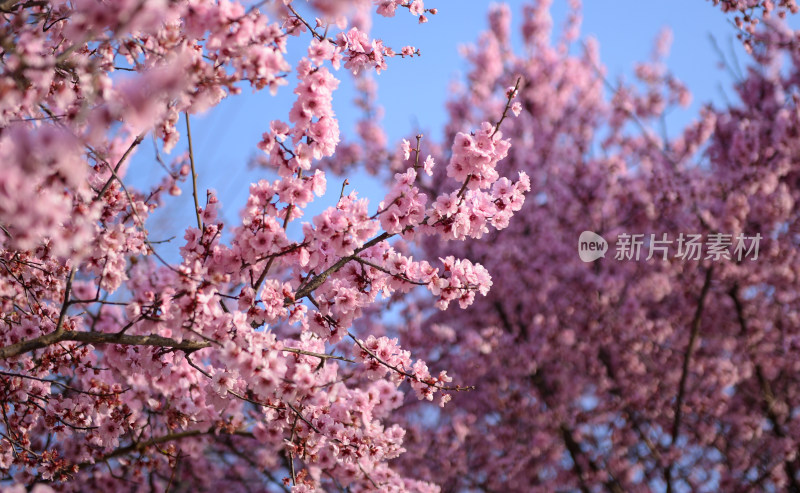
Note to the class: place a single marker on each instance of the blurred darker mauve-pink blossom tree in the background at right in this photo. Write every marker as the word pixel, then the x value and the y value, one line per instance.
pixel 665 372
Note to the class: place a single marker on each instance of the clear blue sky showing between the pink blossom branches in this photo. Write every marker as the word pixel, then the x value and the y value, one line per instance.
pixel 413 91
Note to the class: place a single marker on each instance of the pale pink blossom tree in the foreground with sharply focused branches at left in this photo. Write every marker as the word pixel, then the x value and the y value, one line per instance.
pixel 236 367
